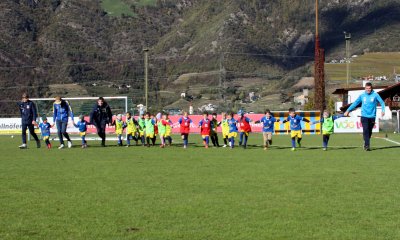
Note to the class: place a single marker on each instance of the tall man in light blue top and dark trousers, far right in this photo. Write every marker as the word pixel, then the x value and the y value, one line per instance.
pixel 368 100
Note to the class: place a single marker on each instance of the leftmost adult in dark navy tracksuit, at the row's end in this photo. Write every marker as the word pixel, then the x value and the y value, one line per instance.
pixel 28 119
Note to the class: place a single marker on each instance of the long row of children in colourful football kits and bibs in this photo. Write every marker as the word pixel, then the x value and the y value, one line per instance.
pixel 148 126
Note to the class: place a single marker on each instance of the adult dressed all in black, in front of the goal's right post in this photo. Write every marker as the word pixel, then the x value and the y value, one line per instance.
pixel 101 116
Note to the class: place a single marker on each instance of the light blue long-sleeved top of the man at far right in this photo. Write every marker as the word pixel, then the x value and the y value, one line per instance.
pixel 368 104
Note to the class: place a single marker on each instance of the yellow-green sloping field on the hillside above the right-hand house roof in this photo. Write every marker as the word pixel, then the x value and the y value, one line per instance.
pixel 376 64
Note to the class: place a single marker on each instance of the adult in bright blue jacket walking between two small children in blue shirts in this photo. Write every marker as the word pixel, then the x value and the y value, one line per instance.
pixel 61 111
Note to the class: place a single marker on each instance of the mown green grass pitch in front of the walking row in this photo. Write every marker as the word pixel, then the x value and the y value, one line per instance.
pixel 197 193
